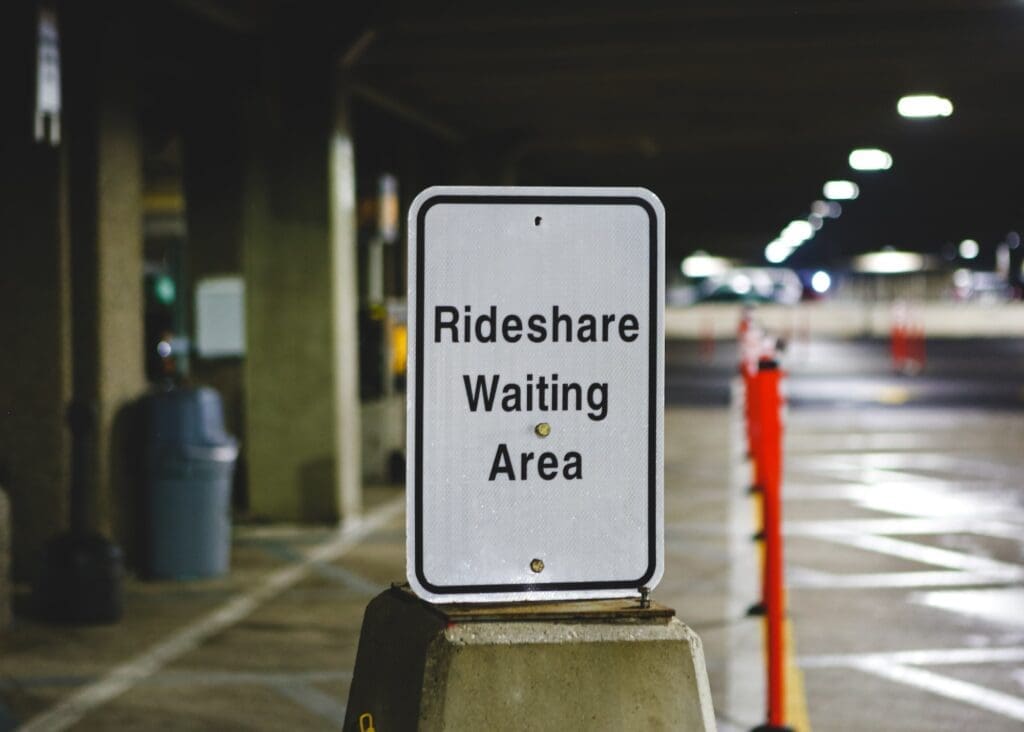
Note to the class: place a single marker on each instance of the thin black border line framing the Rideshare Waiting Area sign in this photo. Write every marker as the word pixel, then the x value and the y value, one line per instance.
pixel 653 394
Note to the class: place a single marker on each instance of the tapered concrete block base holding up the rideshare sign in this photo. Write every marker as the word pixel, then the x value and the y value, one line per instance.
pixel 599 665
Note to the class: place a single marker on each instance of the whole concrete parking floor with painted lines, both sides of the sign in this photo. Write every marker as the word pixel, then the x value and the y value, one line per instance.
pixel 906 559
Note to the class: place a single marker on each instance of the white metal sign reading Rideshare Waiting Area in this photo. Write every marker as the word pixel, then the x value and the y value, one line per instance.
pixel 536 394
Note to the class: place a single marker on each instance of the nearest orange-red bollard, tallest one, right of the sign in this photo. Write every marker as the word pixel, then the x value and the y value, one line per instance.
pixel 771 453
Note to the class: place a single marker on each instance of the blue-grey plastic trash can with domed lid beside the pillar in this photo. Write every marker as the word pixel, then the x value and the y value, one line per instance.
pixel 190 464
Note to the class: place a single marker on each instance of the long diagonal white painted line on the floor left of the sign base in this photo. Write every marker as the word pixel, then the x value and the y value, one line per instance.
pixel 123 677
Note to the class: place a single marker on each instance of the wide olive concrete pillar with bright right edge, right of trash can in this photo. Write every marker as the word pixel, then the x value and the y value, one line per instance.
pixel 300 236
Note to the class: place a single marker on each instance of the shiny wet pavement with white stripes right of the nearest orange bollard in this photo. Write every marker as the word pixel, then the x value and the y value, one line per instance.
pixel 906 567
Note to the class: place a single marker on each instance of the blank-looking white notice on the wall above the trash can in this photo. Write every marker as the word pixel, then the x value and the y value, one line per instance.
pixel 221 318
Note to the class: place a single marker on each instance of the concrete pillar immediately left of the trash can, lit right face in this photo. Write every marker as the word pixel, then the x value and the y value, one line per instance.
pixel 106 228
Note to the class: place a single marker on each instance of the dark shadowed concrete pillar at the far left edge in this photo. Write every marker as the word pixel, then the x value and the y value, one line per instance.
pixel 35 308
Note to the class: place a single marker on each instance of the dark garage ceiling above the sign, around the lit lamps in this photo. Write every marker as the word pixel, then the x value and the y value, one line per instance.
pixel 735 113
